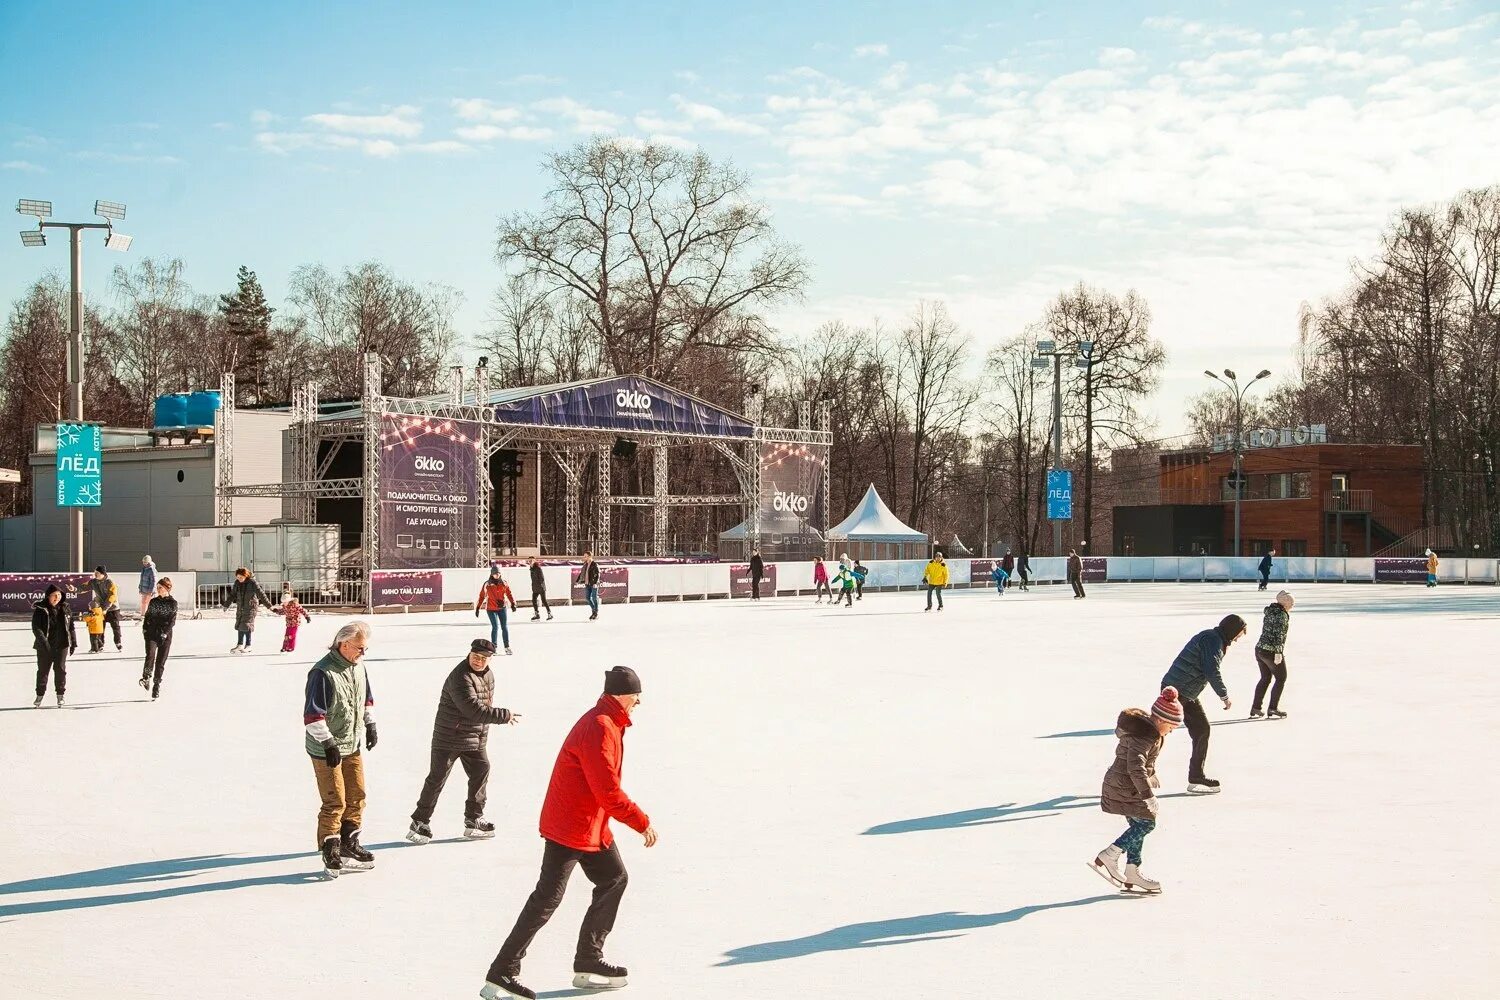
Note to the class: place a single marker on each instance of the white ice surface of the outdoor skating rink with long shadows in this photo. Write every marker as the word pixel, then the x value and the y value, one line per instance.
pixel 853 803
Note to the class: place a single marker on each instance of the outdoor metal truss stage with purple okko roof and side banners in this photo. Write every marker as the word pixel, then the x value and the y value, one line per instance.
pixel 425 481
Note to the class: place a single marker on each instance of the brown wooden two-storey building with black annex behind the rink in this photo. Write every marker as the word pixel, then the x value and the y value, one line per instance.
pixel 1316 500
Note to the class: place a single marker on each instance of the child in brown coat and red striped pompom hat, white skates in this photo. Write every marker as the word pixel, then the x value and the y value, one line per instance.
pixel 1130 788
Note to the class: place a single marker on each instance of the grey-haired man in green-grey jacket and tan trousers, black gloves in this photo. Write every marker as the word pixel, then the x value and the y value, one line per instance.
pixel 338 719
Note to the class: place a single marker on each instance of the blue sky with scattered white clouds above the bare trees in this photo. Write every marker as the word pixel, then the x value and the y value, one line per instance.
pixel 1228 161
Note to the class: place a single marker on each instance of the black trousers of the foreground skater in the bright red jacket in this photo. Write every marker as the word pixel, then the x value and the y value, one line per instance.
pixel 604 869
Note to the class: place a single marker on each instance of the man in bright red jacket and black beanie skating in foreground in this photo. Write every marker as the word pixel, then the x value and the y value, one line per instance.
pixel 583 797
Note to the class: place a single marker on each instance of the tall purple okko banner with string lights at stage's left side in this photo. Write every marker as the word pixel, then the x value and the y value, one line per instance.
pixel 430 475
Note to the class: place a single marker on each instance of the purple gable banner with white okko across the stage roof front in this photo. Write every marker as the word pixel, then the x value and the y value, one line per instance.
pixel 625 404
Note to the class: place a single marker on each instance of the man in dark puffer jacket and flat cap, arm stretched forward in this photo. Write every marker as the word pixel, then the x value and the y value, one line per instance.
pixel 461 732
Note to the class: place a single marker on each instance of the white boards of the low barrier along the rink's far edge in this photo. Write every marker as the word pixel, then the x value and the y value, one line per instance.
pixel 712 581
